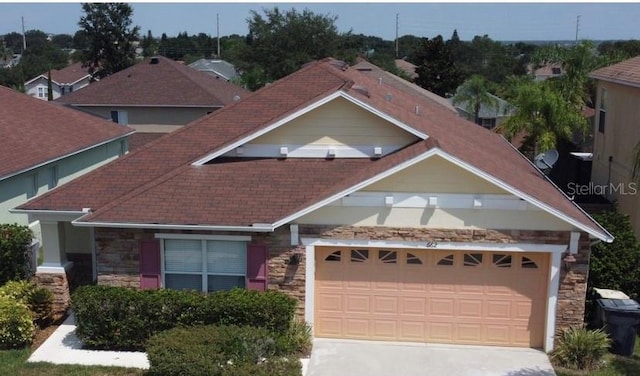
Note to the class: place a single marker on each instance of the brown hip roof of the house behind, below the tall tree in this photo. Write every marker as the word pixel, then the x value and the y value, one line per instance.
pixel 167 83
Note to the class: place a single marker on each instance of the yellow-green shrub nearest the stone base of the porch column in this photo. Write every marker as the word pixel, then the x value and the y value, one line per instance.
pixel 38 299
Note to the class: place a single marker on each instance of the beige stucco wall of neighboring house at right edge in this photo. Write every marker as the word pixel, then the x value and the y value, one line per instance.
pixel 621 134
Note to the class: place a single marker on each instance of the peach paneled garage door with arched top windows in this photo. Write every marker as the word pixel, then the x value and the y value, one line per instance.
pixel 489 298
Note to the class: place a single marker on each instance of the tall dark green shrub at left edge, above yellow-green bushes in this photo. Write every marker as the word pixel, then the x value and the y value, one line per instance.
pixel 14 258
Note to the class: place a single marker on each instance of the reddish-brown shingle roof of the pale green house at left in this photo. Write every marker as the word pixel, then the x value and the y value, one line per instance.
pixel 33 132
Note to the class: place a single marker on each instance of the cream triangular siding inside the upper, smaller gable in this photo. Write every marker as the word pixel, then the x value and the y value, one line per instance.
pixel 338 123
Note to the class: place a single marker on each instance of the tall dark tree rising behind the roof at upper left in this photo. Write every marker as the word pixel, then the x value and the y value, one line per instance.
pixel 108 27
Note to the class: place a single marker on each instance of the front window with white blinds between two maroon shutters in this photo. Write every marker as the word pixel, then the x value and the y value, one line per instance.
pixel 204 265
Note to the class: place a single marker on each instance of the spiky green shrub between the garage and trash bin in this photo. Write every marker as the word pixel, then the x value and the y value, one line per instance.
pixel 581 349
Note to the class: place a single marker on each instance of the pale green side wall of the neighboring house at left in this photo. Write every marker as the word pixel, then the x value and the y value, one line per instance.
pixel 14 190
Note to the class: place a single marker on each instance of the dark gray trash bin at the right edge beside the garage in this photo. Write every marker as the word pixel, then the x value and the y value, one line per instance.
pixel 621 319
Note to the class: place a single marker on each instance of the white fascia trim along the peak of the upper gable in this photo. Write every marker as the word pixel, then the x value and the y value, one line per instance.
pixel 301 112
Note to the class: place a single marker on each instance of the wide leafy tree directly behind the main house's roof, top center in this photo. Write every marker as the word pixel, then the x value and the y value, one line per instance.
pixel 280 42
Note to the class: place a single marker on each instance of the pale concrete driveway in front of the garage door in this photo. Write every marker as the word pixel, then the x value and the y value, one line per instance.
pixel 370 358
